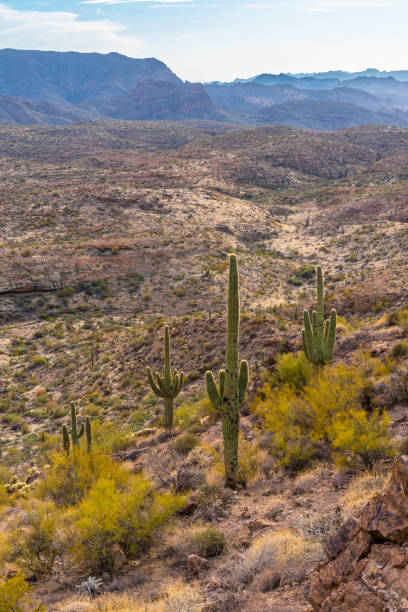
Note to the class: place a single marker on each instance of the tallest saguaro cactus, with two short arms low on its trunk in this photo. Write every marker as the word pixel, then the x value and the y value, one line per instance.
pixel 233 381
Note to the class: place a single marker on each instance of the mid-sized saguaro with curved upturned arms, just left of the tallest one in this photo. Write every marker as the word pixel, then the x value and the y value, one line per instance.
pixel 167 384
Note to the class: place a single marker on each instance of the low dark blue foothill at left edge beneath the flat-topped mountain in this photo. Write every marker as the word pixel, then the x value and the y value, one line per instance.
pixel 29 112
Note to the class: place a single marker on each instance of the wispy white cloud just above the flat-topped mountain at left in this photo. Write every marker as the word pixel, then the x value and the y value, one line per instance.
pixel 63 31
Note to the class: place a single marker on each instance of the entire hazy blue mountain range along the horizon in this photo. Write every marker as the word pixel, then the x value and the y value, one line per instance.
pixel 47 87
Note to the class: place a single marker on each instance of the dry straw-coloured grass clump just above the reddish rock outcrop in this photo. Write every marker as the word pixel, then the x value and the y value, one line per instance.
pixel 360 491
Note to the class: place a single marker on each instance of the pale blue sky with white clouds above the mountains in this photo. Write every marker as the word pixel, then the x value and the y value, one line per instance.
pixel 207 40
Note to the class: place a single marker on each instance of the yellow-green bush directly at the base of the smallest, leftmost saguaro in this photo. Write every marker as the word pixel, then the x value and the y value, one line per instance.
pixel 70 477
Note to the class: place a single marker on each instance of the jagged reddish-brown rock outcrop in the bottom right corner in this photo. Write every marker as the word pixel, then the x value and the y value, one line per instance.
pixel 367 568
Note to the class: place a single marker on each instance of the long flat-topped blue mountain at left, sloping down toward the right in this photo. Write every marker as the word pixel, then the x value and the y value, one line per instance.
pixel 75 77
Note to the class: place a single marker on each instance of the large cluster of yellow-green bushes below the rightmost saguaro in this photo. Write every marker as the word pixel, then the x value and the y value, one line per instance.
pixel 301 420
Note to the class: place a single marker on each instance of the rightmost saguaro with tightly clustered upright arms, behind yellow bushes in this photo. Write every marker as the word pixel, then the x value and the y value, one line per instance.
pixel 318 335
